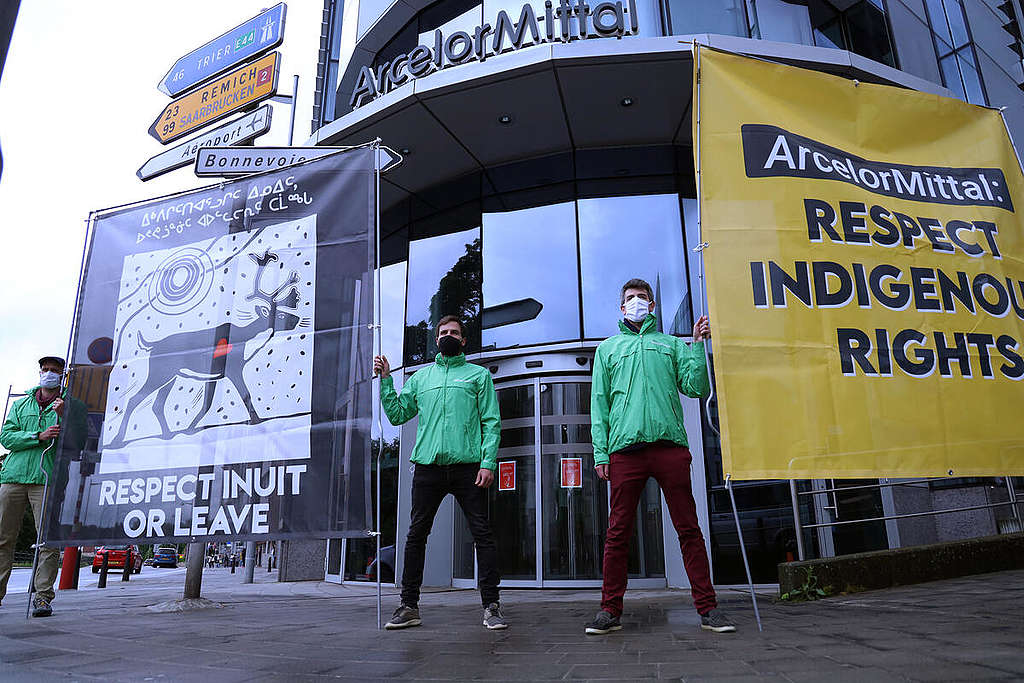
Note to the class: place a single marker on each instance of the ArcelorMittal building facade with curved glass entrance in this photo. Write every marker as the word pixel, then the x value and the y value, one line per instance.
pixel 548 159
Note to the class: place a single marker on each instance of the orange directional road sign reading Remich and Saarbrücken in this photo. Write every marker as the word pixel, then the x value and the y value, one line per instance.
pixel 233 92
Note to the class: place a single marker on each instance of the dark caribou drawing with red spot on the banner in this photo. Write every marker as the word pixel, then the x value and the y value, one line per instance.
pixel 214 354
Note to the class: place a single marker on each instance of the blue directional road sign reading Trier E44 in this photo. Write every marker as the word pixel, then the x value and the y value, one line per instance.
pixel 264 32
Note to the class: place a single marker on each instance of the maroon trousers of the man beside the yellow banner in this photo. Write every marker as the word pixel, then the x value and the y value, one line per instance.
pixel 670 465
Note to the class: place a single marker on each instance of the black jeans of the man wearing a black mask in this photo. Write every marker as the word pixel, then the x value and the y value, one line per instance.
pixel 431 485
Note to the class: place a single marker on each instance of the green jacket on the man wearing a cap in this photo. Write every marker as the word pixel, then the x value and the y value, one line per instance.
pixel 19 436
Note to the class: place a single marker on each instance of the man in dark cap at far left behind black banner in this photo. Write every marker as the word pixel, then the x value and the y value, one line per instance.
pixel 30 434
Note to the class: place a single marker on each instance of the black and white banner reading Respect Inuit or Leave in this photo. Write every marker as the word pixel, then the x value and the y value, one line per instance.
pixel 223 347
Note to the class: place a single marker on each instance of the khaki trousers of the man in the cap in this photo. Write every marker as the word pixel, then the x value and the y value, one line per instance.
pixel 14 498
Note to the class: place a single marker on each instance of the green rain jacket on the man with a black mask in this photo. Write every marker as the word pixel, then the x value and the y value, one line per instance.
pixel 458 409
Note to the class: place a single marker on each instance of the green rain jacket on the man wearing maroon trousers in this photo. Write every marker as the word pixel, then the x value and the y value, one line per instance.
pixel 635 392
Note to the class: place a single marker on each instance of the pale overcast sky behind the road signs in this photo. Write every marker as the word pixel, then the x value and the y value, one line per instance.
pixel 77 98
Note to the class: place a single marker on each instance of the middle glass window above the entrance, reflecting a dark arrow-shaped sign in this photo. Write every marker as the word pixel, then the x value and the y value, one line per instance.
pixel 531 282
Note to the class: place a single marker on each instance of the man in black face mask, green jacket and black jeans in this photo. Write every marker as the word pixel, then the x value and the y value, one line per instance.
pixel 455 453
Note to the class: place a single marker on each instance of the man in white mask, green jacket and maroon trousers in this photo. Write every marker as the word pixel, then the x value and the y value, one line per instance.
pixel 637 431
